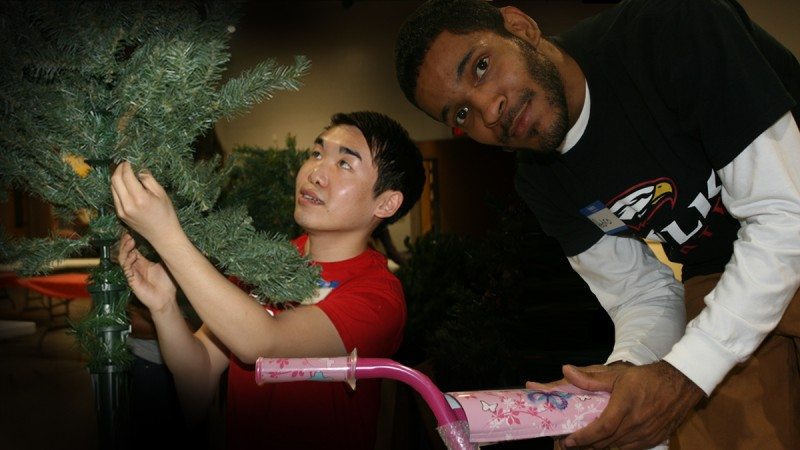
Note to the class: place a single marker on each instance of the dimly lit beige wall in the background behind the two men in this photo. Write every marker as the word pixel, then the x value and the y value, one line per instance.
pixel 352 66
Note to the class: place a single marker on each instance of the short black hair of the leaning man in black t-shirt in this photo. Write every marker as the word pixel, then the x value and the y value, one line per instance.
pixel 427 22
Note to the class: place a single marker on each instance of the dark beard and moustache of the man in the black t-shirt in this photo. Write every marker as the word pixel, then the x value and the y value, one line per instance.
pixel 544 72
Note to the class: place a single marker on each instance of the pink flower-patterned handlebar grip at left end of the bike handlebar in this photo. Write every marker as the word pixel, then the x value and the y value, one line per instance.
pixel 280 370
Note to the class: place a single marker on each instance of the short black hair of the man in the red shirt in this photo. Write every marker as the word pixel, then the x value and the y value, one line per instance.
pixel 397 158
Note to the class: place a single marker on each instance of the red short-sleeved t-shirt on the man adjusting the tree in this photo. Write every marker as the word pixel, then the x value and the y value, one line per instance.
pixel 368 310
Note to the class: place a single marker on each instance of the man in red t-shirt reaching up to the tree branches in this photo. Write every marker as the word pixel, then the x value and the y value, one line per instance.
pixel 363 172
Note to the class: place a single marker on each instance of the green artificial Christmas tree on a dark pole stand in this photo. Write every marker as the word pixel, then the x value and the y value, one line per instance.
pixel 85 85
